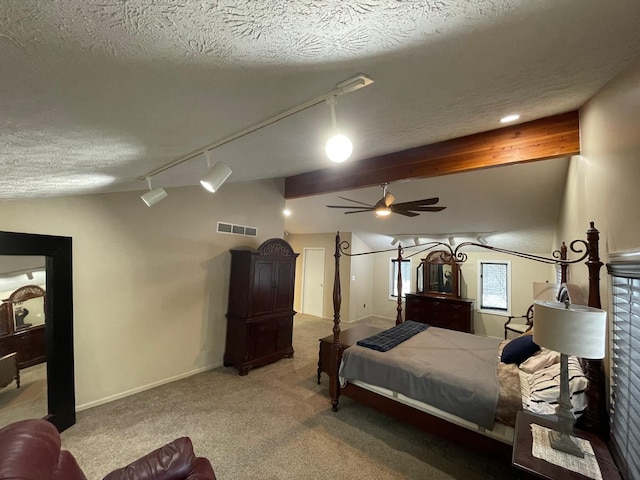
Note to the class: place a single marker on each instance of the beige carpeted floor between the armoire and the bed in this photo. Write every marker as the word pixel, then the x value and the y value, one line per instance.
pixel 275 423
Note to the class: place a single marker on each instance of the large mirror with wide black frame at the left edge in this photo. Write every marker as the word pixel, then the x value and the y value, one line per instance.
pixel 36 323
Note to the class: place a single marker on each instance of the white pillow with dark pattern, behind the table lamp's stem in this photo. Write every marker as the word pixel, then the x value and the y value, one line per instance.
pixel 544 389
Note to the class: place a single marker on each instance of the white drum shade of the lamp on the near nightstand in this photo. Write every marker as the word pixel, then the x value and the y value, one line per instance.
pixel 577 330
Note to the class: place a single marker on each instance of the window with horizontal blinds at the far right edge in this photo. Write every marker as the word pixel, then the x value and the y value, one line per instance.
pixel 625 366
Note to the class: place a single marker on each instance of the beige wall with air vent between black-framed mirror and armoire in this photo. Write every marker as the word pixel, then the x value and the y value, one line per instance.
pixel 150 284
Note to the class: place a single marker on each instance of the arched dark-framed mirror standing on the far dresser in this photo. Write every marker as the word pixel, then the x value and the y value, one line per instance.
pixel 441 274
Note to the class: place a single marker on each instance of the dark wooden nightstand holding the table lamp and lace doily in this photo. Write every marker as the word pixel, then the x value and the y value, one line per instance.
pixel 538 468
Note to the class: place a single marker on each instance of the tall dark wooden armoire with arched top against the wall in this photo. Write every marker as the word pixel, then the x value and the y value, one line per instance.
pixel 260 312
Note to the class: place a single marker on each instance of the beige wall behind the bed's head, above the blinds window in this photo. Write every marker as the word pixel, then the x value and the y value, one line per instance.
pixel 602 184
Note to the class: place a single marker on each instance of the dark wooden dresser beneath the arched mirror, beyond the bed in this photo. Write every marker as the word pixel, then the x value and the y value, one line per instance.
pixel 440 311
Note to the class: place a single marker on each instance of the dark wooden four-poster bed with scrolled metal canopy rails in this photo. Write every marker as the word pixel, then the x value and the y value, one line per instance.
pixel 474 433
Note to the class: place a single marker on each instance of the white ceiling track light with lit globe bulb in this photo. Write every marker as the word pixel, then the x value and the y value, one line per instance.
pixel 338 149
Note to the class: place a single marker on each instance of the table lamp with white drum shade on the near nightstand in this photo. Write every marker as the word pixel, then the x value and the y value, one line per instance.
pixel 571 330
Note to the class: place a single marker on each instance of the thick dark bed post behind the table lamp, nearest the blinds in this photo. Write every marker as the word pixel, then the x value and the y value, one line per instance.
pixel 595 416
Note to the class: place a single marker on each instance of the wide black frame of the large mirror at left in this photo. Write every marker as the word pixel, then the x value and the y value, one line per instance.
pixel 59 318
